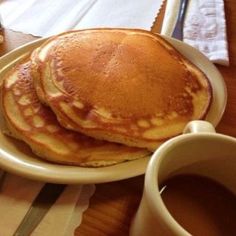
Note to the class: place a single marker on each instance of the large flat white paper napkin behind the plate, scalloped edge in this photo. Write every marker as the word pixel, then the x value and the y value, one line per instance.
pixel 49 17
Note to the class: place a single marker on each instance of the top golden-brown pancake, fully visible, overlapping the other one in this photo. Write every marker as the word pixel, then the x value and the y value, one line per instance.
pixel 121 85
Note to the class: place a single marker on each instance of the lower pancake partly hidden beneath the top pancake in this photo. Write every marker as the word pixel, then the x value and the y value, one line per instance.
pixel 30 121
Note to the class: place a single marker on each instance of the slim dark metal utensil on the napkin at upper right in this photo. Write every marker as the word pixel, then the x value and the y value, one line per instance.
pixel 178 29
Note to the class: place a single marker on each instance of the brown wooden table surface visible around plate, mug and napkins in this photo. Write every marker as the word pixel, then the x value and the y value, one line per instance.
pixel 113 204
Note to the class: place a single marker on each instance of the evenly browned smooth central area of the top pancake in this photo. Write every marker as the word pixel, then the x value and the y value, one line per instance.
pixel 127 74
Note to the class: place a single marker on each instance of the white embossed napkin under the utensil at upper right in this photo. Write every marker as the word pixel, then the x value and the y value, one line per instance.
pixel 204 27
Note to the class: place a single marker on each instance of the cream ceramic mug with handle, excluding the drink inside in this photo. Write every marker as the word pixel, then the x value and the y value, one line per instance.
pixel 200 150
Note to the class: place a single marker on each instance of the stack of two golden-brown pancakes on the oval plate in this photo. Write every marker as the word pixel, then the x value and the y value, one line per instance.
pixel 102 96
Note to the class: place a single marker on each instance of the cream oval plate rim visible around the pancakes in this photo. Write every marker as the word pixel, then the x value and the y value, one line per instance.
pixel 16 157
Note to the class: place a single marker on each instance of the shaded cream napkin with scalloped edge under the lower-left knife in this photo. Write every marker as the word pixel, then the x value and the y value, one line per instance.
pixel 63 217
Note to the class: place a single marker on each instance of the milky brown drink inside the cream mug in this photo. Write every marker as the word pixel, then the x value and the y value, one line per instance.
pixel 200 205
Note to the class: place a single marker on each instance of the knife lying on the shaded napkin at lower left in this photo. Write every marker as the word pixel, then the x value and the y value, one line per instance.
pixel 40 206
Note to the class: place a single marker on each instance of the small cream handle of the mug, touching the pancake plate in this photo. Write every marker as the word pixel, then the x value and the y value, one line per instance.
pixel 199 126
